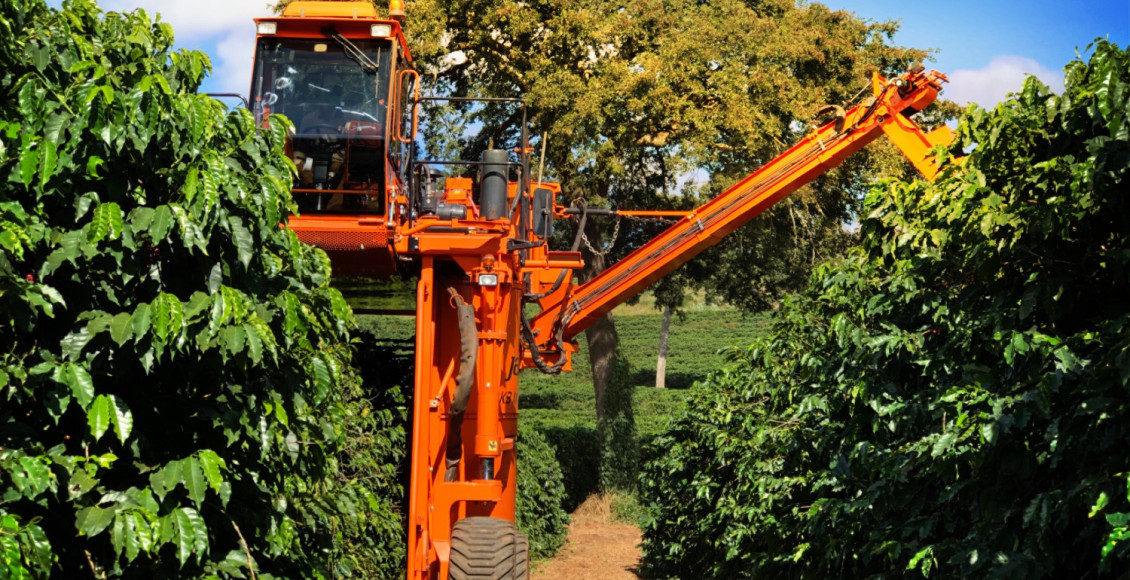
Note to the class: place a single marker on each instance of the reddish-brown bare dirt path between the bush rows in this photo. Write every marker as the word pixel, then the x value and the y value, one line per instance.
pixel 598 548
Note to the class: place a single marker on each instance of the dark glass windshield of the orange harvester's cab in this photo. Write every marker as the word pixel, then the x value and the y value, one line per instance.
pixel 336 93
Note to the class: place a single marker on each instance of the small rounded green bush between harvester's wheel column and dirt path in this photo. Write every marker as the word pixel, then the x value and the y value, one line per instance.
pixel 541 495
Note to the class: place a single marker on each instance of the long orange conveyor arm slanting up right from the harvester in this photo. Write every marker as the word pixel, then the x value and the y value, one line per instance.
pixel 888 111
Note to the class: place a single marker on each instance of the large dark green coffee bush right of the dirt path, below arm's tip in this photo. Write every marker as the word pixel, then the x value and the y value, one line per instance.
pixel 949 400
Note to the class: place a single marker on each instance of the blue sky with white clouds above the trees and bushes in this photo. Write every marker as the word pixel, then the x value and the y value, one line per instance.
pixel 985 47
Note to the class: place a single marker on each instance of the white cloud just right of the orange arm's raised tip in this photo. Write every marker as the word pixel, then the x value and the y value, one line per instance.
pixel 1004 75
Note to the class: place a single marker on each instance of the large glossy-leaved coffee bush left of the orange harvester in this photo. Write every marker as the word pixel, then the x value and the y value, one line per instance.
pixel 175 401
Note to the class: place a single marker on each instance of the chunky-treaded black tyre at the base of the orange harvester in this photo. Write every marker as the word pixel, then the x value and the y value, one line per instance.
pixel 489 549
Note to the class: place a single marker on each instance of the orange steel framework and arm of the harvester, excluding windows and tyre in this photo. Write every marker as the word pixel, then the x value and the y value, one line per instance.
pixel 454 254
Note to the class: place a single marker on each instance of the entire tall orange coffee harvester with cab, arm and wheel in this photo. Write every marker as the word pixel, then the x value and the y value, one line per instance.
pixel 479 245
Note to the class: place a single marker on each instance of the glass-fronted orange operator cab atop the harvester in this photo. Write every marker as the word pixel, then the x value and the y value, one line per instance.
pixel 332 68
